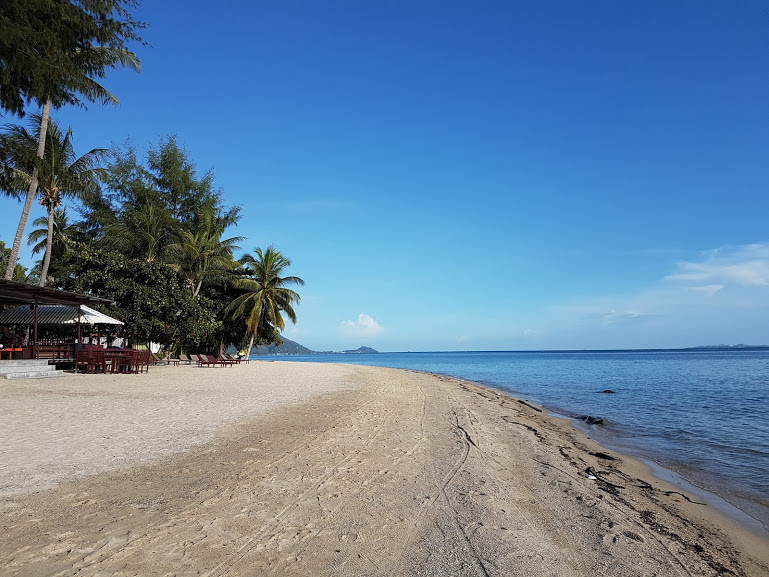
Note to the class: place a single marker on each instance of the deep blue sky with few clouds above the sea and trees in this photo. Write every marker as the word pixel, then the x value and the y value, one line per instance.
pixel 490 175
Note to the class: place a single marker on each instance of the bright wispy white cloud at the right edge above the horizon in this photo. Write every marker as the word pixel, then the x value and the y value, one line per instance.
pixel 746 265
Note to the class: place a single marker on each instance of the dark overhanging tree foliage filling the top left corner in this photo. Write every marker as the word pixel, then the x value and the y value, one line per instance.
pixel 52 50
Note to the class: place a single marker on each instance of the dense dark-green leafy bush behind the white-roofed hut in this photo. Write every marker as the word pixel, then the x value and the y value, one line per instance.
pixel 149 298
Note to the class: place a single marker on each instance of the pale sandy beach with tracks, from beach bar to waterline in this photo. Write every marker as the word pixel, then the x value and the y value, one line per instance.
pixel 308 469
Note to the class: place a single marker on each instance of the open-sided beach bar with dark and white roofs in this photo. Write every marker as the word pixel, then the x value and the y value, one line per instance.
pixel 41 305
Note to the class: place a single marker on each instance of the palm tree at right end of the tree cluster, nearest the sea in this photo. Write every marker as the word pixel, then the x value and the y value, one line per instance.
pixel 267 295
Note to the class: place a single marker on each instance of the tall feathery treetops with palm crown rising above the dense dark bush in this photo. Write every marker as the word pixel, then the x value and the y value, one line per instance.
pixel 153 205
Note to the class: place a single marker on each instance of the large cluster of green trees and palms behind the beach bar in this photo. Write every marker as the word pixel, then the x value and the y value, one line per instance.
pixel 153 237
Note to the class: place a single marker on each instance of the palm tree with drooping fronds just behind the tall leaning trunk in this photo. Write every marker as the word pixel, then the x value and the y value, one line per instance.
pixel 57 175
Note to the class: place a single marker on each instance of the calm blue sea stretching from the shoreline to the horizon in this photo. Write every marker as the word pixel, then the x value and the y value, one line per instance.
pixel 702 413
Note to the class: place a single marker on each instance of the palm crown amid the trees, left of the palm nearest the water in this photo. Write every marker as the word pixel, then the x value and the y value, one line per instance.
pixel 202 253
